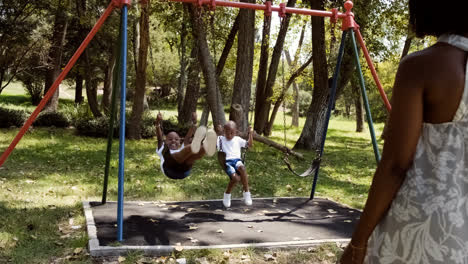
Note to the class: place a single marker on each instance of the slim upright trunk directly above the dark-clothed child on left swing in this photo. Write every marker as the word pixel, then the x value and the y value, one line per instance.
pixel 183 64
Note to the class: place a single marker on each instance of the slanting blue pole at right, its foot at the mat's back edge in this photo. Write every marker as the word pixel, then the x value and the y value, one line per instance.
pixel 331 101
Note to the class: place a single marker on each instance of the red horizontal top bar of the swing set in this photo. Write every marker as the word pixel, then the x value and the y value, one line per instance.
pixel 291 10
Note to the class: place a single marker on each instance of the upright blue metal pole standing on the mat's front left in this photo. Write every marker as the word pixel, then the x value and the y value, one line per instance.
pixel 123 65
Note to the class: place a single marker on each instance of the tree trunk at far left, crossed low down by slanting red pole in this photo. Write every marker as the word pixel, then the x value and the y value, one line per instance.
pixel 54 61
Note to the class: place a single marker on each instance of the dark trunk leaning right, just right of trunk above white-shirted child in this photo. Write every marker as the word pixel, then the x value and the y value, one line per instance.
pixel 264 110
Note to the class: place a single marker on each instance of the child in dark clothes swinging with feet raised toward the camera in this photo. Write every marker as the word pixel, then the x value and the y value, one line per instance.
pixel 176 159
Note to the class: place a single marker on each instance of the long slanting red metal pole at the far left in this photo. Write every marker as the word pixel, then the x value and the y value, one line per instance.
pixel 57 82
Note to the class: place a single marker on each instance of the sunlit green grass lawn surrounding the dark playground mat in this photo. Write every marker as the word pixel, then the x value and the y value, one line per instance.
pixel 51 171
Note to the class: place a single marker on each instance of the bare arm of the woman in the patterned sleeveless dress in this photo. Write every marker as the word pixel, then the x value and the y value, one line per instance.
pixel 405 127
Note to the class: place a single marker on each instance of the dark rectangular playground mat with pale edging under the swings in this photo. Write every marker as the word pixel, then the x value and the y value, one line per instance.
pixel 160 227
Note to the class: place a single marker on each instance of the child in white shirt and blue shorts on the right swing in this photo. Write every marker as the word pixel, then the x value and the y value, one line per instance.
pixel 235 169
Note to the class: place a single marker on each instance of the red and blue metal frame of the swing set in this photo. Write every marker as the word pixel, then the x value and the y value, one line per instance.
pixel 349 26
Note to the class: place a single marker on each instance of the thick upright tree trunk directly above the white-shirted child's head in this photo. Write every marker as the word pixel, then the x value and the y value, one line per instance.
pixel 244 65
